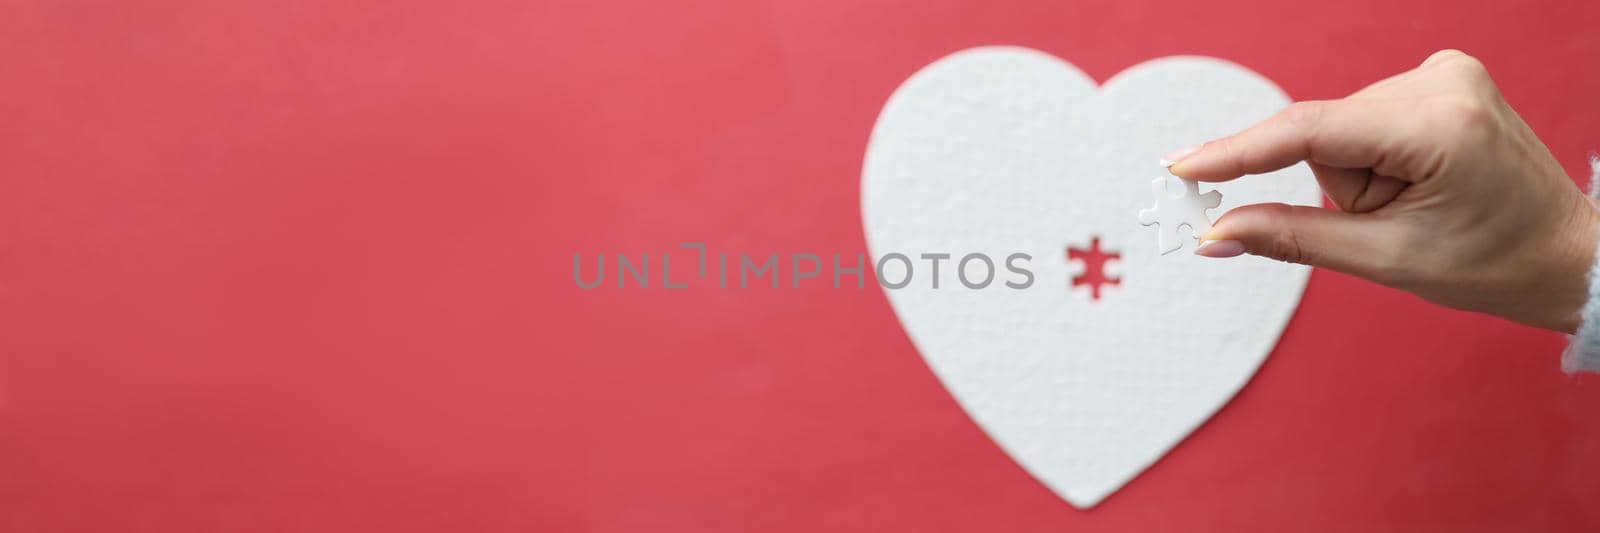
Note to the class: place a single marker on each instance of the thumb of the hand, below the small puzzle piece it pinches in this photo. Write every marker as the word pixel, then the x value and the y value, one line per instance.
pixel 1348 242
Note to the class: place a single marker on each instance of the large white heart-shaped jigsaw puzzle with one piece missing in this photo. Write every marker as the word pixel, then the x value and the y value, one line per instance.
pixel 1006 150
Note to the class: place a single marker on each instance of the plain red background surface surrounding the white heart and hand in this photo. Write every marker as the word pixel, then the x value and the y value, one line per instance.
pixel 308 266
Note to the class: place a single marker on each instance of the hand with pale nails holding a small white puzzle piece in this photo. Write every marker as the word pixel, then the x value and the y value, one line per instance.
pixel 1442 191
